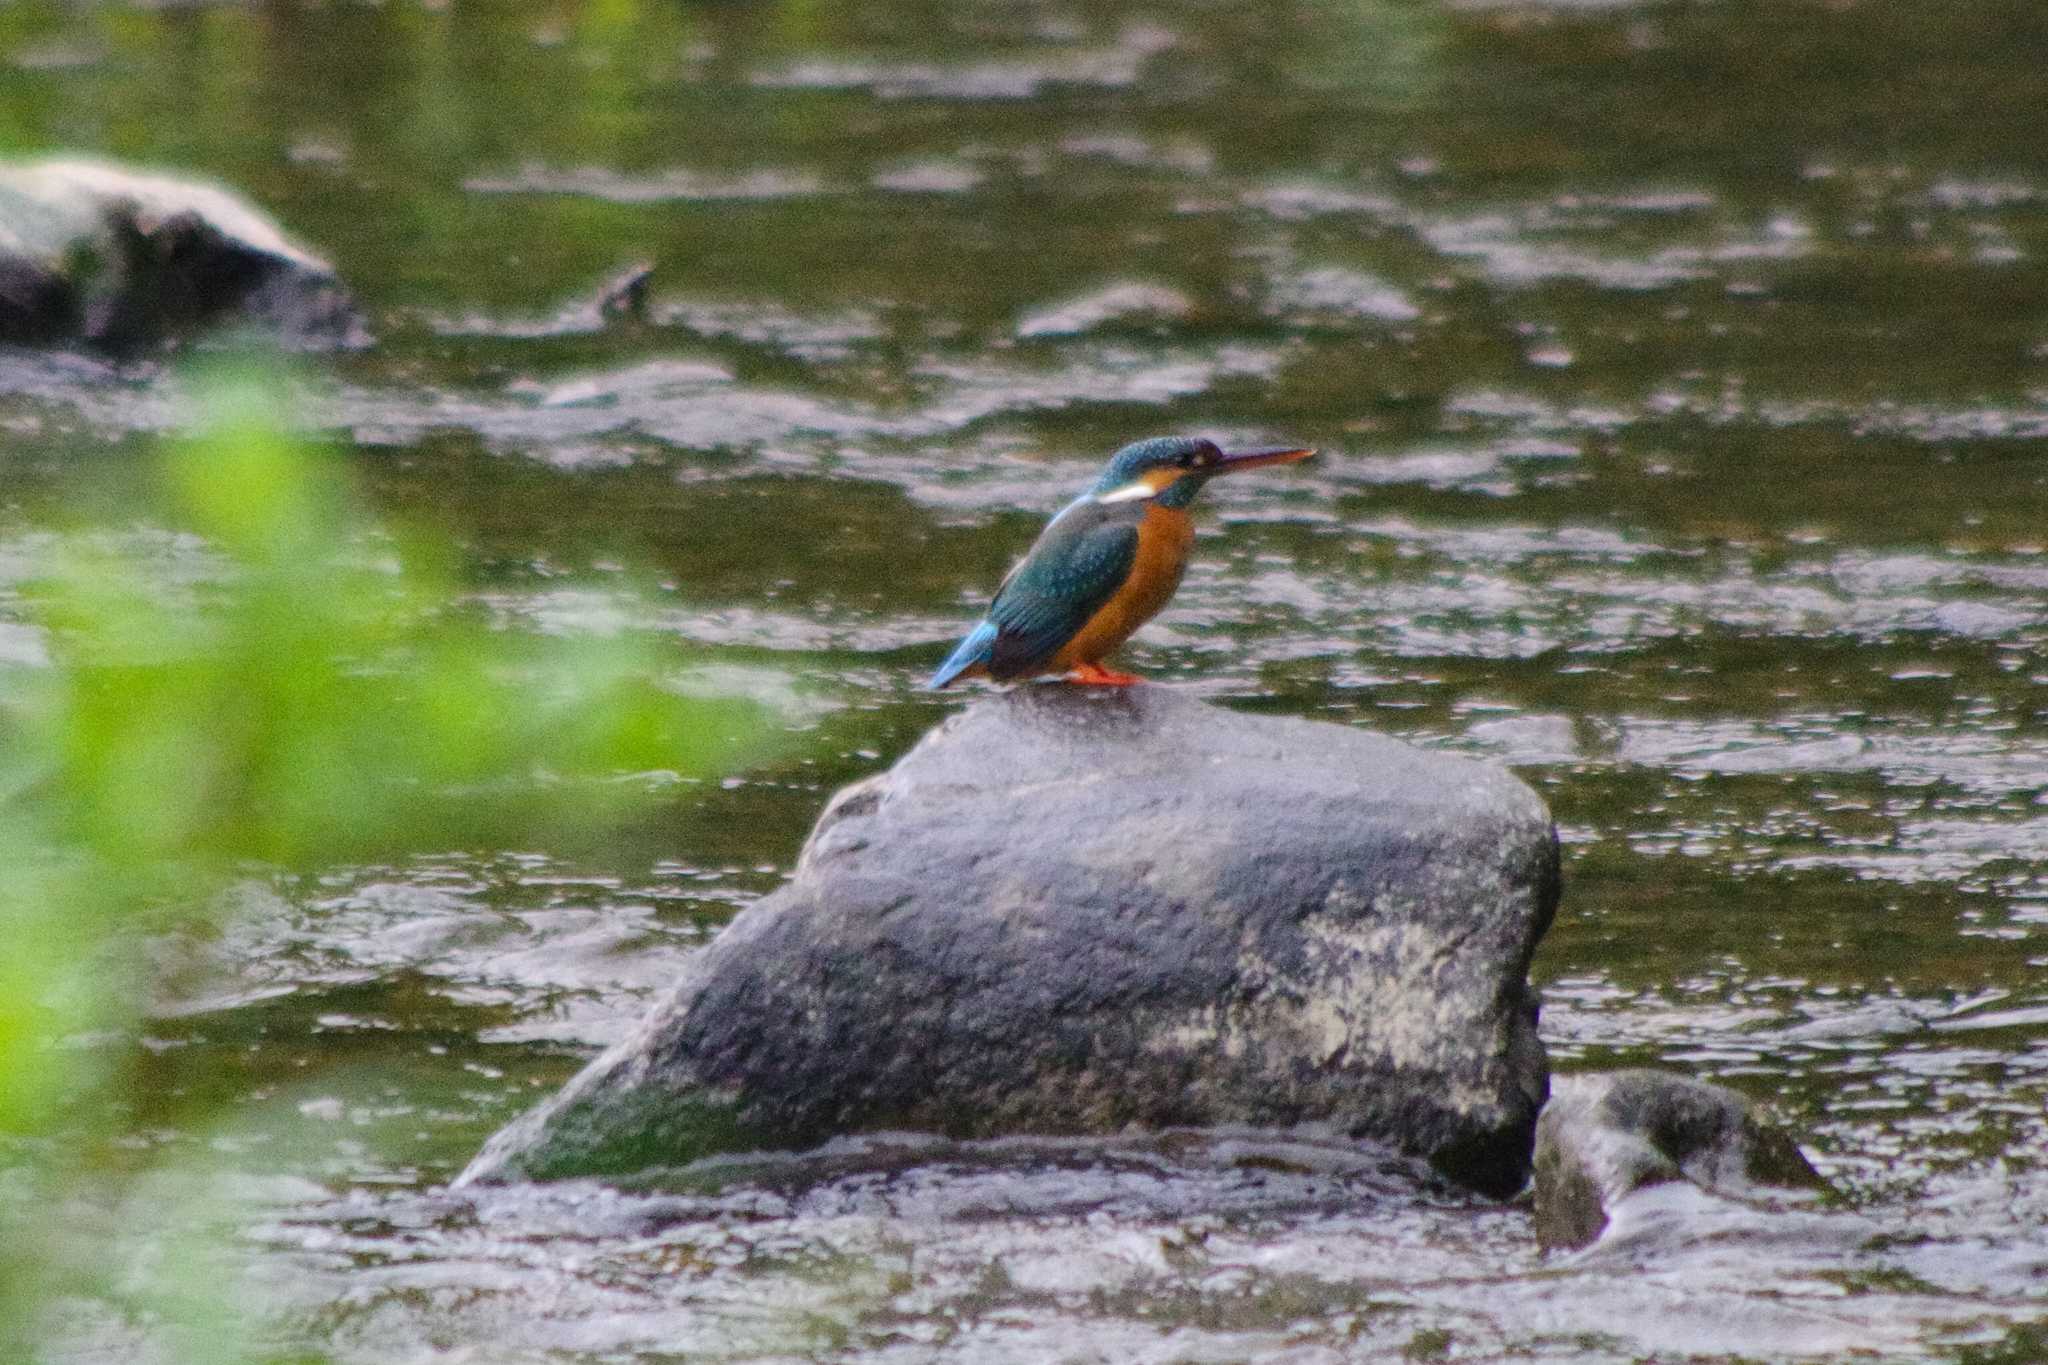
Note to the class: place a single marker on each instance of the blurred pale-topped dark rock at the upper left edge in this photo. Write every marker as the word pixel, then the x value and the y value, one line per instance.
pixel 128 261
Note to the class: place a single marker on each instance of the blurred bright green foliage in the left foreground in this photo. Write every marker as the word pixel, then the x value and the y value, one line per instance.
pixel 321 693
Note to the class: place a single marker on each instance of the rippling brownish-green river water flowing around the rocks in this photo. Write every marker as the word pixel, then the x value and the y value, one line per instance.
pixel 1682 386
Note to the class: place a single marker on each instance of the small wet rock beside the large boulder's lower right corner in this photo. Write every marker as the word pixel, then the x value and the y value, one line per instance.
pixel 1609 1137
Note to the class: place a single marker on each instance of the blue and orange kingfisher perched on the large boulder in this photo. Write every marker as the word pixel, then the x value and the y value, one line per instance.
pixel 1103 566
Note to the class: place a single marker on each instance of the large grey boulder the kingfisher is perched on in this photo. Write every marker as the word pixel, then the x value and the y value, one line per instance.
pixel 1070 912
